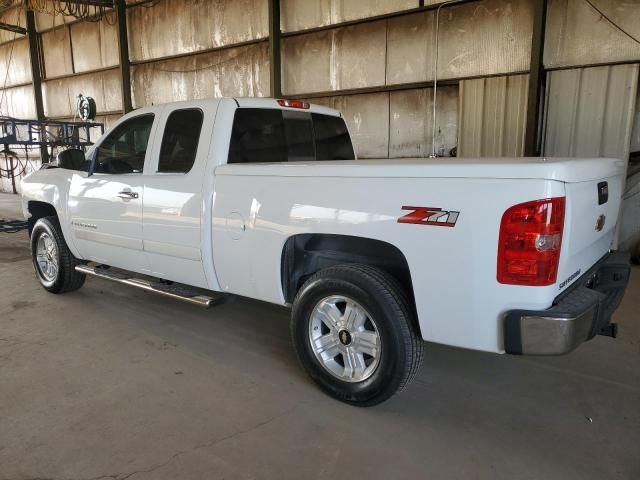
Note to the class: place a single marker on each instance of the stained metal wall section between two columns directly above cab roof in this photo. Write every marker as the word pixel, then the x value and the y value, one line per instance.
pixel 162 72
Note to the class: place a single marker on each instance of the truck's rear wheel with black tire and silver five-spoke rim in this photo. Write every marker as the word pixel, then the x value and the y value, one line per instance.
pixel 353 330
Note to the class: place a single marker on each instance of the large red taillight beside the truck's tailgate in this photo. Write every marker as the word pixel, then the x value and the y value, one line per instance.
pixel 530 241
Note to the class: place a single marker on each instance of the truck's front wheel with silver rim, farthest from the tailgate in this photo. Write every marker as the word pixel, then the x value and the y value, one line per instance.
pixel 52 260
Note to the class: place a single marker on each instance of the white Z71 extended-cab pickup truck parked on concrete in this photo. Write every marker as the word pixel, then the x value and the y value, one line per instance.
pixel 264 198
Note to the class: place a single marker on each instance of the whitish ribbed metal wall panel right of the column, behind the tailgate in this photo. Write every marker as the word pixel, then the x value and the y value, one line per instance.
pixel 590 111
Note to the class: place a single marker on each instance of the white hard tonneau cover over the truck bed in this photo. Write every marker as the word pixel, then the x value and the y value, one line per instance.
pixel 570 170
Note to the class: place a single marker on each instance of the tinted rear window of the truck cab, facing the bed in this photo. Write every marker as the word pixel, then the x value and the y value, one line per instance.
pixel 262 135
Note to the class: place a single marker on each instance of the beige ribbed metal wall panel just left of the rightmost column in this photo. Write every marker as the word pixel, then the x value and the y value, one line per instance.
pixel 492 116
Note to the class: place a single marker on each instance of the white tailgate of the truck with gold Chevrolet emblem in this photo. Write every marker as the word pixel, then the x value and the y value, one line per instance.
pixel 590 220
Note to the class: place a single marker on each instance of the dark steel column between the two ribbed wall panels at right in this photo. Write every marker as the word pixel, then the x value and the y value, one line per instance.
pixel 536 80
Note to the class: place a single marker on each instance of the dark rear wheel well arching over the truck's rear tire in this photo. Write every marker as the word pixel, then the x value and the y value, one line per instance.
pixel 305 254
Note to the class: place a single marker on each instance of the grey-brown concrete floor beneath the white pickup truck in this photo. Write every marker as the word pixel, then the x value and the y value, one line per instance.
pixel 110 382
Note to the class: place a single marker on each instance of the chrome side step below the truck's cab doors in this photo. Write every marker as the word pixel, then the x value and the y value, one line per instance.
pixel 176 291
